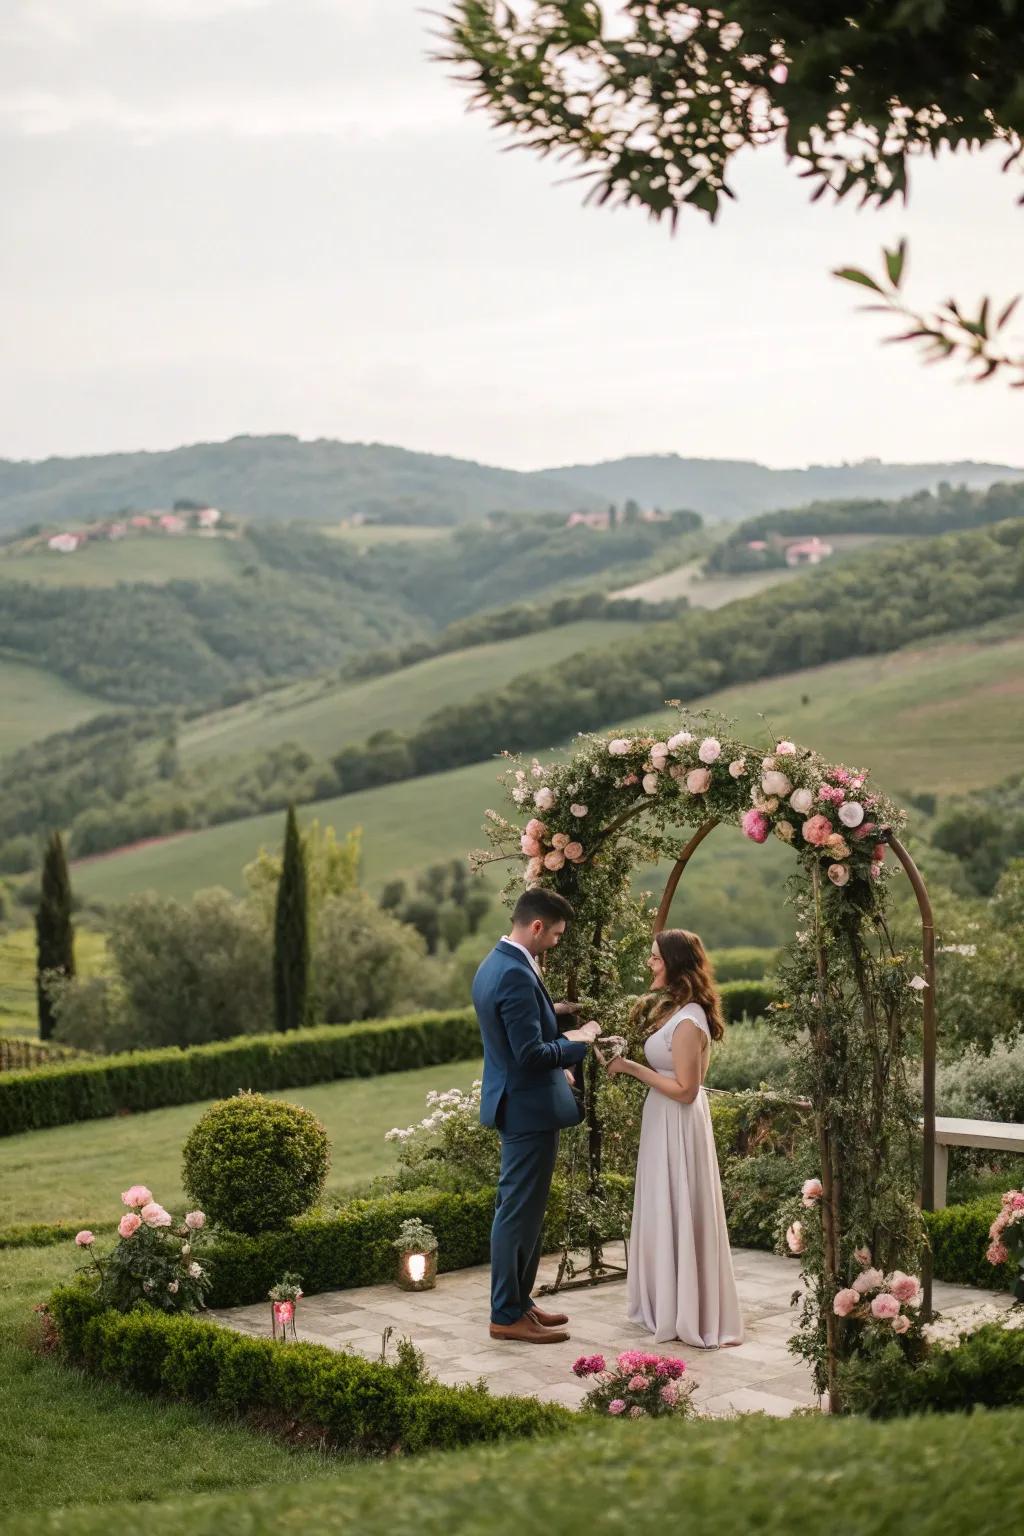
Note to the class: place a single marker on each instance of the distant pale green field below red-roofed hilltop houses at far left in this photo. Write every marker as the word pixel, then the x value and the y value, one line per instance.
pixel 147 558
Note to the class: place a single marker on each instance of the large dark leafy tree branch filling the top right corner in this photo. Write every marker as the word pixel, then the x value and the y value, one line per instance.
pixel 658 98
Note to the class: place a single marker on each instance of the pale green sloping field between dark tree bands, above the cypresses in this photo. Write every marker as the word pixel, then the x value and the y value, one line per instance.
pixel 325 718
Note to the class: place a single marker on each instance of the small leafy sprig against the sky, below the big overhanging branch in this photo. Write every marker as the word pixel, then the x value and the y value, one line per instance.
pixel 948 333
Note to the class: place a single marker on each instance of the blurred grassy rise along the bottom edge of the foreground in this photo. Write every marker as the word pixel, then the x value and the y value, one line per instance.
pixel 755 1477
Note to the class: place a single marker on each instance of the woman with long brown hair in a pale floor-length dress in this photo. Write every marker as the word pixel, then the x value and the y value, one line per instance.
pixel 681 1271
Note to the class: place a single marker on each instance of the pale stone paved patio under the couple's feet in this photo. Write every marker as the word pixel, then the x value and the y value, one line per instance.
pixel 449 1325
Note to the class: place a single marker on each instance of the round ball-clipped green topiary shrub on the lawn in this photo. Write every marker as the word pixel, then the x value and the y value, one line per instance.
pixel 254 1162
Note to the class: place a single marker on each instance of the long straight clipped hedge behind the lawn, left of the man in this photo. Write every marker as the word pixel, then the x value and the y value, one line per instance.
pixel 142 1081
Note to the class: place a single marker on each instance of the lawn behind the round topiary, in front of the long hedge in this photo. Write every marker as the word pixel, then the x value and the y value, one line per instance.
pixel 78 1173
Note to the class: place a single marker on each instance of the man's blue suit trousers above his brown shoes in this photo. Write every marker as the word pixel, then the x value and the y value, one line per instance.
pixel 523 1197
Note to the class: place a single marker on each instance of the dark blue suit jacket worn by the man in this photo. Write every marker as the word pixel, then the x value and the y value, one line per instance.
pixel 524 1056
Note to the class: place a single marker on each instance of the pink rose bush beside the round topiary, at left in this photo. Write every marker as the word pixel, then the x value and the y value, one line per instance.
pixel 153 1262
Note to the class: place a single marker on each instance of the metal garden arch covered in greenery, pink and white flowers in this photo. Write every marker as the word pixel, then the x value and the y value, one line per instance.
pixel 848 1005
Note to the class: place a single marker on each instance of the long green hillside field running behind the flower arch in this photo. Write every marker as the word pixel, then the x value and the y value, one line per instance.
pixel 907 717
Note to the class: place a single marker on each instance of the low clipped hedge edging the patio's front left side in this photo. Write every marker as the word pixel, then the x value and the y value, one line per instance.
pixel 357 1405
